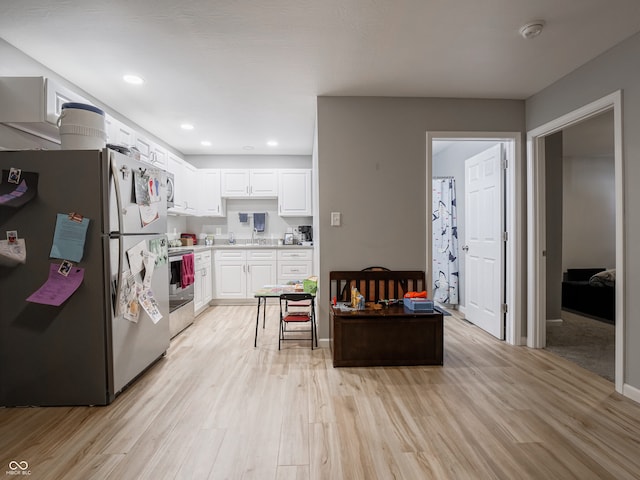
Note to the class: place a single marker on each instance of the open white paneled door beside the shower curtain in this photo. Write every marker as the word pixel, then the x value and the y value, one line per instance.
pixel 484 244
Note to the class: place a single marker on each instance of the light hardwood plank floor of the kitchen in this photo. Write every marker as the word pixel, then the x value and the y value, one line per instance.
pixel 217 408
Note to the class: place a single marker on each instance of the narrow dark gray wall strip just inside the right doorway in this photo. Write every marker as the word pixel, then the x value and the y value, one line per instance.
pixel 553 200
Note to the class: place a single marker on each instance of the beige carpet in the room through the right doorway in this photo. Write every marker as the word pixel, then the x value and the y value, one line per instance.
pixel 587 342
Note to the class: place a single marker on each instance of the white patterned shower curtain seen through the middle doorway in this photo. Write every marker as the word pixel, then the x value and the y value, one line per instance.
pixel 445 241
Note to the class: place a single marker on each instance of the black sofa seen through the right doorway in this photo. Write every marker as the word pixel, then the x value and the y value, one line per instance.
pixel 590 292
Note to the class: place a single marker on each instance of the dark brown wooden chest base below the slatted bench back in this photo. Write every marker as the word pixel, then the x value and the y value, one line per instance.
pixel 389 336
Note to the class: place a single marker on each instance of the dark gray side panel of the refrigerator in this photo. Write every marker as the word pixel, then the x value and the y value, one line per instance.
pixel 54 355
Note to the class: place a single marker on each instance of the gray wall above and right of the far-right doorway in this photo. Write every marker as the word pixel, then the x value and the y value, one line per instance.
pixel 616 69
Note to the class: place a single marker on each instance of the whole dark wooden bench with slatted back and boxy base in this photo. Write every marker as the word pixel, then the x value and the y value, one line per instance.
pixel 383 336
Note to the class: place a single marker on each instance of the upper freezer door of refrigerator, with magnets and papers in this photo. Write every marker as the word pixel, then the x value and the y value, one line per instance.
pixel 138 196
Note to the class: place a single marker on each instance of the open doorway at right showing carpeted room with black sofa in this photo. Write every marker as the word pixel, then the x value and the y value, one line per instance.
pixel 580 204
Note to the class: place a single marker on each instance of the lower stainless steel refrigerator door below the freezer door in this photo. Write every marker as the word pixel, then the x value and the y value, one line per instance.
pixel 137 344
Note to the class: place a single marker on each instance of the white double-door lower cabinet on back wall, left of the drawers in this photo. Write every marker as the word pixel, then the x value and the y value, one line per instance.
pixel 239 273
